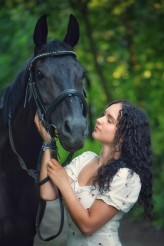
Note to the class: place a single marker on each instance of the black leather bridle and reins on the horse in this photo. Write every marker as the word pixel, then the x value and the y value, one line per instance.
pixel 32 92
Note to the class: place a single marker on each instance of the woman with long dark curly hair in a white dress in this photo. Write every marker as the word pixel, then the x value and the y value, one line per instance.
pixel 98 190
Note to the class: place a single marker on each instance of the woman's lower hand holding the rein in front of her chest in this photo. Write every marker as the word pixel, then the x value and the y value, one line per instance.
pixel 57 173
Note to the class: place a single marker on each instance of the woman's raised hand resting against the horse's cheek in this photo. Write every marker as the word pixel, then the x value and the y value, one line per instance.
pixel 42 131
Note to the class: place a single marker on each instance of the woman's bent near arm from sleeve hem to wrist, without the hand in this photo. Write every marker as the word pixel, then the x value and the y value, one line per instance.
pixel 88 221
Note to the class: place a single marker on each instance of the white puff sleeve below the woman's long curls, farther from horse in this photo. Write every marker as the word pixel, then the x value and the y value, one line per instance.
pixel 123 191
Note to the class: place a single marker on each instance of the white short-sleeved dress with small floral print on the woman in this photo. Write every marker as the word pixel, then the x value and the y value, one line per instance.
pixel 123 193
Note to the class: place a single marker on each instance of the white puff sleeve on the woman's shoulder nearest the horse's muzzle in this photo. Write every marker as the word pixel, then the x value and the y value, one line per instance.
pixel 78 163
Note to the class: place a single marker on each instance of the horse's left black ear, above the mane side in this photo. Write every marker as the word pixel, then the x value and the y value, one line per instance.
pixel 40 32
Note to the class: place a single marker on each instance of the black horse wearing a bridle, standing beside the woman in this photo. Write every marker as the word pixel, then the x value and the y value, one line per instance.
pixel 52 85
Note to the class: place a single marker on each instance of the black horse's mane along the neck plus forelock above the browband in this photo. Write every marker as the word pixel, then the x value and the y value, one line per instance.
pixel 12 95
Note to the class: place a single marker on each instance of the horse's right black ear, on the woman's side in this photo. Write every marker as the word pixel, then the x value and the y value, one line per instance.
pixel 72 35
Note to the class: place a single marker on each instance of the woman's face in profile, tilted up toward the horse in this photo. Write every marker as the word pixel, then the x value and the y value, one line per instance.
pixel 105 128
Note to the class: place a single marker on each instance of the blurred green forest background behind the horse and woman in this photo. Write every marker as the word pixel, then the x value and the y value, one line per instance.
pixel 122 48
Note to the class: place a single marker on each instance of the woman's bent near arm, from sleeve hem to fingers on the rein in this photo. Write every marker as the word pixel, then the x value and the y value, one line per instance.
pixel 88 221
